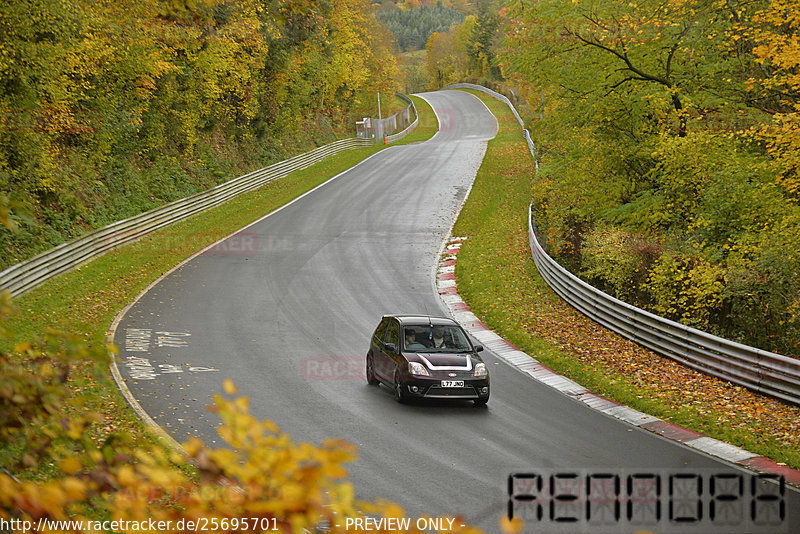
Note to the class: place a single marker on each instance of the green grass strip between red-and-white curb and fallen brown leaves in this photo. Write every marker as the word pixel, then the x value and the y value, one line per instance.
pixel 497 278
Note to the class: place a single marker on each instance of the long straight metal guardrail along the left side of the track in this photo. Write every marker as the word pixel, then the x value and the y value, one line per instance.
pixel 27 275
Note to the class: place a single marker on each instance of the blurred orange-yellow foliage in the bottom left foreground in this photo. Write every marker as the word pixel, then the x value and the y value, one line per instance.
pixel 264 478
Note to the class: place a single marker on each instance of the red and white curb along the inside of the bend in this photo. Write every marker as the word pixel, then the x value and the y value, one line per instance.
pixel 446 286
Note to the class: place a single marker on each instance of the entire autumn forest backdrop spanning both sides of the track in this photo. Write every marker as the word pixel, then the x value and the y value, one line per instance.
pixel 667 131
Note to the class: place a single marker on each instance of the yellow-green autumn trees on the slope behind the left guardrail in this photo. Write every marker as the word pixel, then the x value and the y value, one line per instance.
pixel 109 109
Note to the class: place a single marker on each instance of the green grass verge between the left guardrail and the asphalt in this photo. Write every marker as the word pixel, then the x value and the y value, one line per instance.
pixel 85 301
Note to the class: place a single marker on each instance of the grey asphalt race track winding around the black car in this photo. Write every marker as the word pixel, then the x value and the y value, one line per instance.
pixel 286 308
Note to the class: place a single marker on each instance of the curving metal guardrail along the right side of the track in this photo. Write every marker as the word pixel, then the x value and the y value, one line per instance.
pixel 756 369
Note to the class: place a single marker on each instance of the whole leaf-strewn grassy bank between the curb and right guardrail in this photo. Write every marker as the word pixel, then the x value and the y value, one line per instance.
pixel 498 279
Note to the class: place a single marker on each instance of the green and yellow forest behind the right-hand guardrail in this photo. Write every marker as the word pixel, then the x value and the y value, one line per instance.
pixel 668 135
